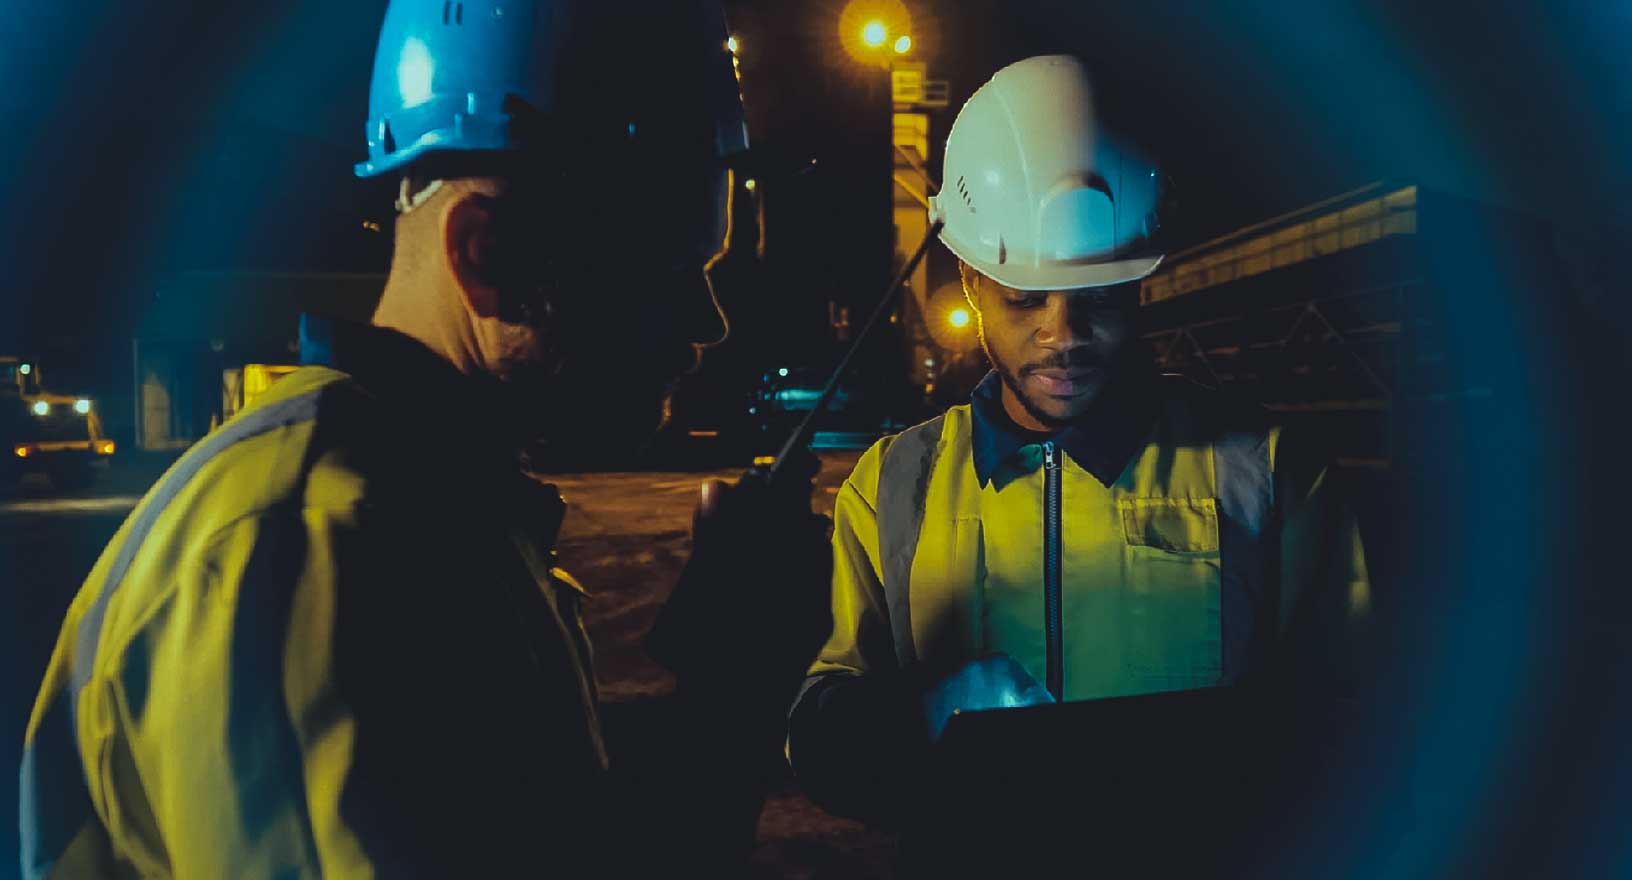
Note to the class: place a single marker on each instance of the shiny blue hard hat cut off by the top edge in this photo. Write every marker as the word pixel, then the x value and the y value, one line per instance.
pixel 461 76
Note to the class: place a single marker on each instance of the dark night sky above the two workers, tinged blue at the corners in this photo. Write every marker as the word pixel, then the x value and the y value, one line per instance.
pixel 157 138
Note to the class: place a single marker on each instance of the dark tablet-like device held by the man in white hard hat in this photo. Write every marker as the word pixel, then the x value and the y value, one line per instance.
pixel 1127 780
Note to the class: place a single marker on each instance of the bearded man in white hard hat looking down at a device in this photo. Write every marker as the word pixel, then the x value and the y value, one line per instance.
pixel 1083 528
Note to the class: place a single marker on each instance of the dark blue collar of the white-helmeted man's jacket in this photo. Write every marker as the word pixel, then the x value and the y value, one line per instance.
pixel 1102 442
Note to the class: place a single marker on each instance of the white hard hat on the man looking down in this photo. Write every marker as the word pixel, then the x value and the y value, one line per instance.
pixel 1036 197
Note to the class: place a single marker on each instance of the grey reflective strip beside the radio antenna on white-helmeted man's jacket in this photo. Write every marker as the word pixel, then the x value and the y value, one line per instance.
pixel 903 482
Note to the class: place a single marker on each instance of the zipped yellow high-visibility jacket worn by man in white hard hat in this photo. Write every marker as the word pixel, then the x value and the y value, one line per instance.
pixel 1179 564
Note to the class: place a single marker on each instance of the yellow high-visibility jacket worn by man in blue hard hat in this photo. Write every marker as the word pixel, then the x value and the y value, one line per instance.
pixel 329 642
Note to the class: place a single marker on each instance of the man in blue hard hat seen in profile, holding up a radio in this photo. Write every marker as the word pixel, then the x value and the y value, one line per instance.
pixel 334 639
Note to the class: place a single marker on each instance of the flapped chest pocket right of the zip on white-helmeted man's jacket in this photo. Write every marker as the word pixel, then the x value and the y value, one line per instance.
pixel 1171 592
